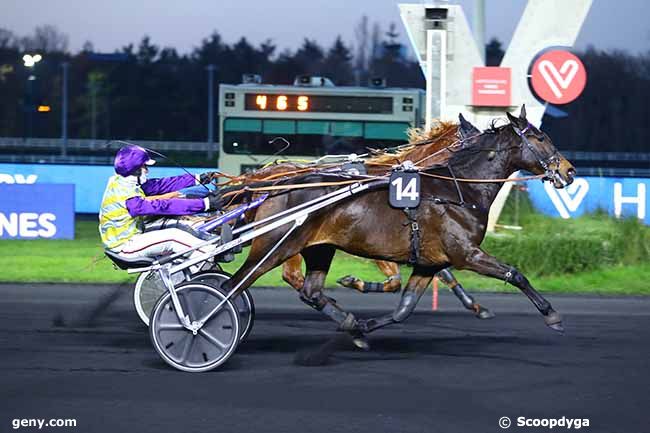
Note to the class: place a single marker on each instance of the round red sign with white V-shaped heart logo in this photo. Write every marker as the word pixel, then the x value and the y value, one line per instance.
pixel 558 77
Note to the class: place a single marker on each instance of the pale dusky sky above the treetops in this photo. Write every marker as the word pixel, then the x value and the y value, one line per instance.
pixel 110 24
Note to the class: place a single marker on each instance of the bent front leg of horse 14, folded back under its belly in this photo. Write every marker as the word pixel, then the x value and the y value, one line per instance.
pixel 415 288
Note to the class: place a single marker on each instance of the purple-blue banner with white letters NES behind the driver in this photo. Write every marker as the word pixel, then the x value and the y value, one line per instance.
pixel 37 211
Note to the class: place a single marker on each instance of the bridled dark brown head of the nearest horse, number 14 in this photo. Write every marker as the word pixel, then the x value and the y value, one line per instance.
pixel 537 153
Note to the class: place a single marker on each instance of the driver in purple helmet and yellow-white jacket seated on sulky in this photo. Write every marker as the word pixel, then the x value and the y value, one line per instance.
pixel 130 196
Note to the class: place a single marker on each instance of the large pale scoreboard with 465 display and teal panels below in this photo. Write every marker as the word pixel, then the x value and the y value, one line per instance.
pixel 315 120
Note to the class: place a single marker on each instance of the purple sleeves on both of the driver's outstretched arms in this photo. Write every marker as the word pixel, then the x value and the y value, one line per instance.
pixel 138 206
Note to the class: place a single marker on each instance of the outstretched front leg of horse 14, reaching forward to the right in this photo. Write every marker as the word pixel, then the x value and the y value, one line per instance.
pixel 479 261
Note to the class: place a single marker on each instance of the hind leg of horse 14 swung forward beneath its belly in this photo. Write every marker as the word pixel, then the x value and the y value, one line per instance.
pixel 317 260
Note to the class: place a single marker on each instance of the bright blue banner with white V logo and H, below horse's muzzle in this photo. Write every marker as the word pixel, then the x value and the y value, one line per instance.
pixel 620 197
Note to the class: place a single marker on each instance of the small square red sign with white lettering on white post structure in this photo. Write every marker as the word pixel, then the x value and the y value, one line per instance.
pixel 491 86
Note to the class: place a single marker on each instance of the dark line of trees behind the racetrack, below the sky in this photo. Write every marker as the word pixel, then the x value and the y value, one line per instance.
pixel 152 92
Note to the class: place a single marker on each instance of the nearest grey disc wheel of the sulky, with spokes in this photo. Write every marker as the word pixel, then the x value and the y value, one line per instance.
pixel 212 345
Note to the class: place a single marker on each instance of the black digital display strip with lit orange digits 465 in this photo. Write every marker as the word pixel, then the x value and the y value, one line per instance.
pixel 318 103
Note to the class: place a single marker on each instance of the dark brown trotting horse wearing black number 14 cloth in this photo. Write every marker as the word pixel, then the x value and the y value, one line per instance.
pixel 456 196
